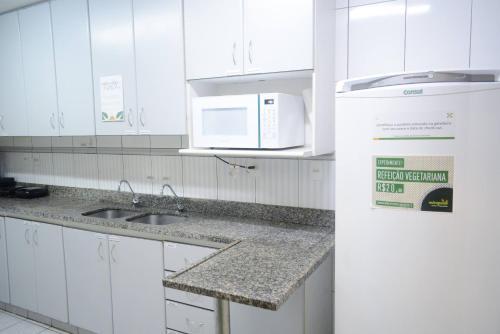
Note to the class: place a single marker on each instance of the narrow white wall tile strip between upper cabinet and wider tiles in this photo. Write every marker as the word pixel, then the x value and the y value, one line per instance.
pixel 341 43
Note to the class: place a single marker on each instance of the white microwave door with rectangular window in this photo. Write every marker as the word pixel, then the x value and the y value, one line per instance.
pixel 226 122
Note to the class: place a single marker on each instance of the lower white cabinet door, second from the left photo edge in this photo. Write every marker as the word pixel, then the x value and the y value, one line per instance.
pixel 21 261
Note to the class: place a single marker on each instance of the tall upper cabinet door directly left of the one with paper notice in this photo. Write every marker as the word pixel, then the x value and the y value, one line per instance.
pixel 74 67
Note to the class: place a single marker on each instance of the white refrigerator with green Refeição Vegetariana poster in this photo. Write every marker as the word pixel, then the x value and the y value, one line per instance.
pixel 418 197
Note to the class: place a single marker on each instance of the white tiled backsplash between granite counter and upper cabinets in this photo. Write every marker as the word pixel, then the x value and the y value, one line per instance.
pixel 148 162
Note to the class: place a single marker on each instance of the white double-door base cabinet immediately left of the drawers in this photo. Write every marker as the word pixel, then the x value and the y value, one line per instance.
pixel 114 283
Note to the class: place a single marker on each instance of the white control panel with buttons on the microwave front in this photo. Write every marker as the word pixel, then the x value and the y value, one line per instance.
pixel 269 123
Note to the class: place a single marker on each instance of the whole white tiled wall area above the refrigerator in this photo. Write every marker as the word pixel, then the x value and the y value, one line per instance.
pixel 377 37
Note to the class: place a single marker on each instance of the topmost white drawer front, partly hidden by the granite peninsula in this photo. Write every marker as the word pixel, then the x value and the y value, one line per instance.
pixel 179 256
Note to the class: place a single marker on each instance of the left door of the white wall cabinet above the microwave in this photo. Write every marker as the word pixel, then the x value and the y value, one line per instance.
pixel 214 37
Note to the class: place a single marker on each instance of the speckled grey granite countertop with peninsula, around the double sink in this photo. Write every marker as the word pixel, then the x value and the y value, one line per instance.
pixel 260 263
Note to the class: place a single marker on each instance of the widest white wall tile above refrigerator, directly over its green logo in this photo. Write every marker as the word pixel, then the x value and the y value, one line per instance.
pixel 438 34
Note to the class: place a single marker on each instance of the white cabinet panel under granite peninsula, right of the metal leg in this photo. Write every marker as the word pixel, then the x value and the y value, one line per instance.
pixel 289 318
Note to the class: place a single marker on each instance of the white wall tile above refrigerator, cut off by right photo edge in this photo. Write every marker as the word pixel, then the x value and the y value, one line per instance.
pixel 485 45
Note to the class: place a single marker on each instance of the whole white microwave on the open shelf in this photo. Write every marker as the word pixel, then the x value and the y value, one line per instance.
pixel 254 121
